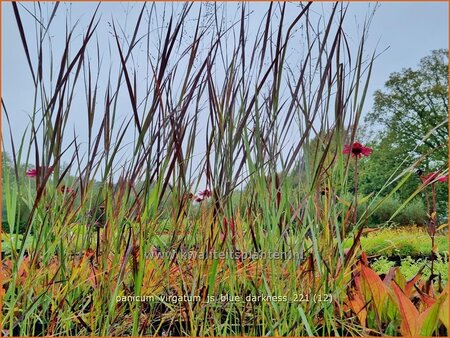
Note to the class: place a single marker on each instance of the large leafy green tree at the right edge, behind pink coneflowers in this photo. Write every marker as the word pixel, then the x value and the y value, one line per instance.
pixel 408 121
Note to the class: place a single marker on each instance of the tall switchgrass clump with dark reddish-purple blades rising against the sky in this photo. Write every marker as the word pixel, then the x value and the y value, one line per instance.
pixel 255 118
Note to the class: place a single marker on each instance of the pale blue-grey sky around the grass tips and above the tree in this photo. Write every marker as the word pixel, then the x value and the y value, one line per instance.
pixel 405 31
